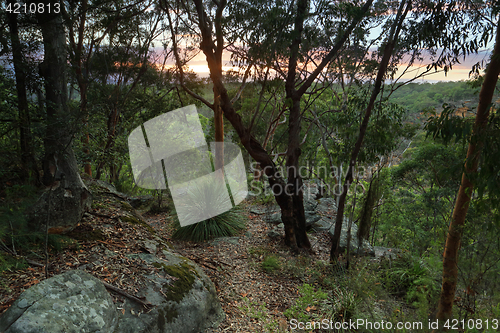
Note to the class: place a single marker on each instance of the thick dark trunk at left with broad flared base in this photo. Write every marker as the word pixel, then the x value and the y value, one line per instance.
pixel 69 196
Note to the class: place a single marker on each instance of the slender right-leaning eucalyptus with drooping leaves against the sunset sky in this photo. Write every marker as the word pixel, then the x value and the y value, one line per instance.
pixel 434 35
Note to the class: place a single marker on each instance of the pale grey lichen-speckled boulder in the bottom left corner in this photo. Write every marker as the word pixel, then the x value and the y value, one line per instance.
pixel 74 301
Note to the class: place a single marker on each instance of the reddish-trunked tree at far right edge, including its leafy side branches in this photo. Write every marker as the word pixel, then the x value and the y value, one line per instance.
pixel 485 124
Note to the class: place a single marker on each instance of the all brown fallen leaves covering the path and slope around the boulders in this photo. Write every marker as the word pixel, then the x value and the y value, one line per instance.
pixel 113 259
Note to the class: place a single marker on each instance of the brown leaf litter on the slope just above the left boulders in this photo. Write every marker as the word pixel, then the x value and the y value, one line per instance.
pixel 107 259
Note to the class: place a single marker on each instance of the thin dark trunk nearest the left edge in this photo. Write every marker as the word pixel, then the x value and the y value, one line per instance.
pixel 27 157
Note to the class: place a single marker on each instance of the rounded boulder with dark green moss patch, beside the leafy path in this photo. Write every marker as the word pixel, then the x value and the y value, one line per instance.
pixel 184 298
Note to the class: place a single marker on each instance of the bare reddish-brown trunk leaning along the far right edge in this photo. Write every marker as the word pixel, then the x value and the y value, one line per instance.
pixel 450 256
